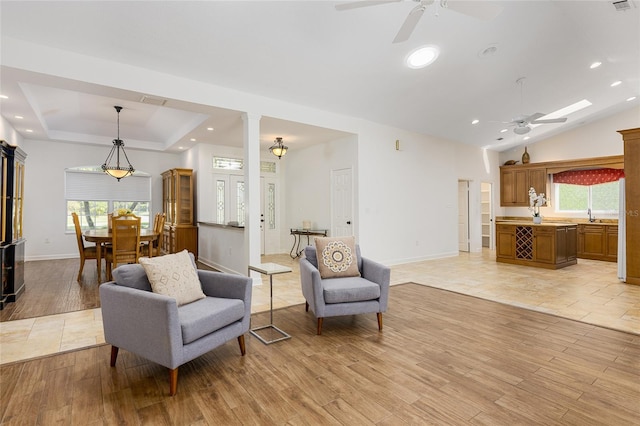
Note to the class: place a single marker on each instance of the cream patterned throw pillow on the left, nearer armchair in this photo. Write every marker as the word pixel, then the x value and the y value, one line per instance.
pixel 175 276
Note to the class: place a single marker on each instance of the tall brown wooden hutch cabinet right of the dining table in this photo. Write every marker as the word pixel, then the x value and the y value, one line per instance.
pixel 180 231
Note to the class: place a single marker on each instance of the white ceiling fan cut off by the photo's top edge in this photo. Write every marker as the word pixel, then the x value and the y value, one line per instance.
pixel 481 10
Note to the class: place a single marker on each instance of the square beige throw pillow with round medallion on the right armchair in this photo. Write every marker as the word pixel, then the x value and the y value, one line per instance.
pixel 337 257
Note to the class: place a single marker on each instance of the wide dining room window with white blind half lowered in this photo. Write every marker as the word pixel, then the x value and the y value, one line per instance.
pixel 92 195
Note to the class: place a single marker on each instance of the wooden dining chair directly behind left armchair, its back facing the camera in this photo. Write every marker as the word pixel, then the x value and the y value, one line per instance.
pixel 125 242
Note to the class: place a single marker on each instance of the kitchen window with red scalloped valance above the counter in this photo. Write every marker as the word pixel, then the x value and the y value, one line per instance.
pixel 581 190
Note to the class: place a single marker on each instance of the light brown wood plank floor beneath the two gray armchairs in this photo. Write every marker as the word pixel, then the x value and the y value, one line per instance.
pixel 443 358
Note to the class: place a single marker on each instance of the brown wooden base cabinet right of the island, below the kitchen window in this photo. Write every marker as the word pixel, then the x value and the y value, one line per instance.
pixel 598 241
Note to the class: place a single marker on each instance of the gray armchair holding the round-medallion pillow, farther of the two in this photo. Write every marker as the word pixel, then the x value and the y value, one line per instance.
pixel 331 297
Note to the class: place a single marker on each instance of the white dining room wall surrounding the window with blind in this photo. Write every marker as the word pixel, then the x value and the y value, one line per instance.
pixel 44 205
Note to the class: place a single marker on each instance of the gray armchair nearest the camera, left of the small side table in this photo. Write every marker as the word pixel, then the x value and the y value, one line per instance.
pixel 154 327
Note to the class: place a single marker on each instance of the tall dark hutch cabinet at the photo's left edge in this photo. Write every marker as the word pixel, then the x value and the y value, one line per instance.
pixel 11 238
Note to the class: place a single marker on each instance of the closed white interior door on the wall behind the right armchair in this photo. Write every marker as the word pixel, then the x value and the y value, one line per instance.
pixel 341 203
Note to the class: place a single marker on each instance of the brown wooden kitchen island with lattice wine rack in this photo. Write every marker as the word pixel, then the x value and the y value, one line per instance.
pixel 548 245
